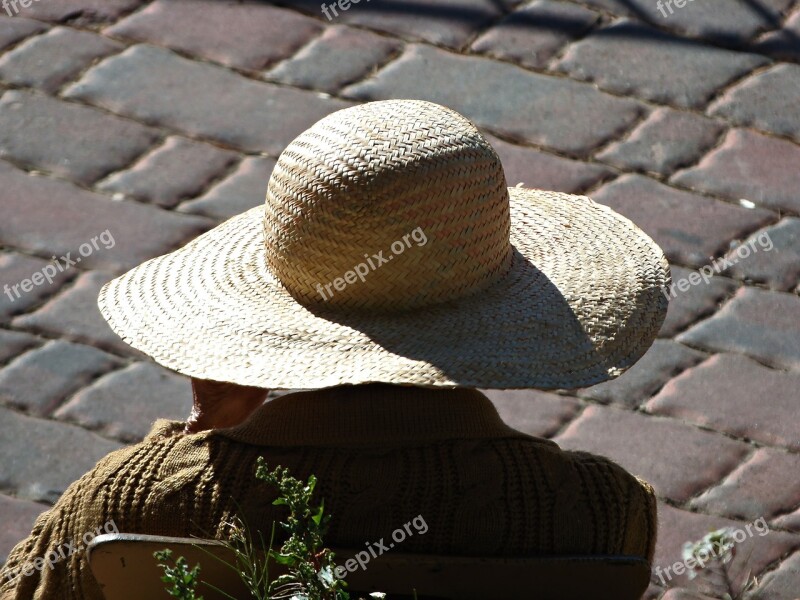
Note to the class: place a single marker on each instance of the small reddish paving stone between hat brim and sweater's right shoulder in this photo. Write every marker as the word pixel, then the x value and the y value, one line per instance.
pixel 540 414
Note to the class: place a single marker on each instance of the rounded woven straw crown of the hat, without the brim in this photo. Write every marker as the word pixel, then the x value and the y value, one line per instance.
pixel 388 206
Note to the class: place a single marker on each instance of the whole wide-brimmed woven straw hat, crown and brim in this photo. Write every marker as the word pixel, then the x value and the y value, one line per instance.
pixel 390 250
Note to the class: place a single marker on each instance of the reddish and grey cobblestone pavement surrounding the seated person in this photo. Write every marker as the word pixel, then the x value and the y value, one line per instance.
pixel 157 120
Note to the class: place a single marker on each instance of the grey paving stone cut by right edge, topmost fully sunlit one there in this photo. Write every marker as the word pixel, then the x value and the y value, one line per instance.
pixel 766 101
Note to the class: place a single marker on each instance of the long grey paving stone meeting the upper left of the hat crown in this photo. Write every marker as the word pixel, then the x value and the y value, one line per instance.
pixel 204 100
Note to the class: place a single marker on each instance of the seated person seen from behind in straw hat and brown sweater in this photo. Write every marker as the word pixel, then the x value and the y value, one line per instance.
pixel 436 279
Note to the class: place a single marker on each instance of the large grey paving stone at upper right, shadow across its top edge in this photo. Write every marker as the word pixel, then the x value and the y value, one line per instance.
pixel 630 58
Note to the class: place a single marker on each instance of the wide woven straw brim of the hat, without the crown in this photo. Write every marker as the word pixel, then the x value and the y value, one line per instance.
pixel 581 303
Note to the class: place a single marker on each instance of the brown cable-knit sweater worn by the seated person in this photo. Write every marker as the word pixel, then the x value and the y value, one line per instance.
pixel 383 455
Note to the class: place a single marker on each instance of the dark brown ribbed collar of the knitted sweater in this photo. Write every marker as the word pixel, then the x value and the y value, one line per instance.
pixel 369 415
